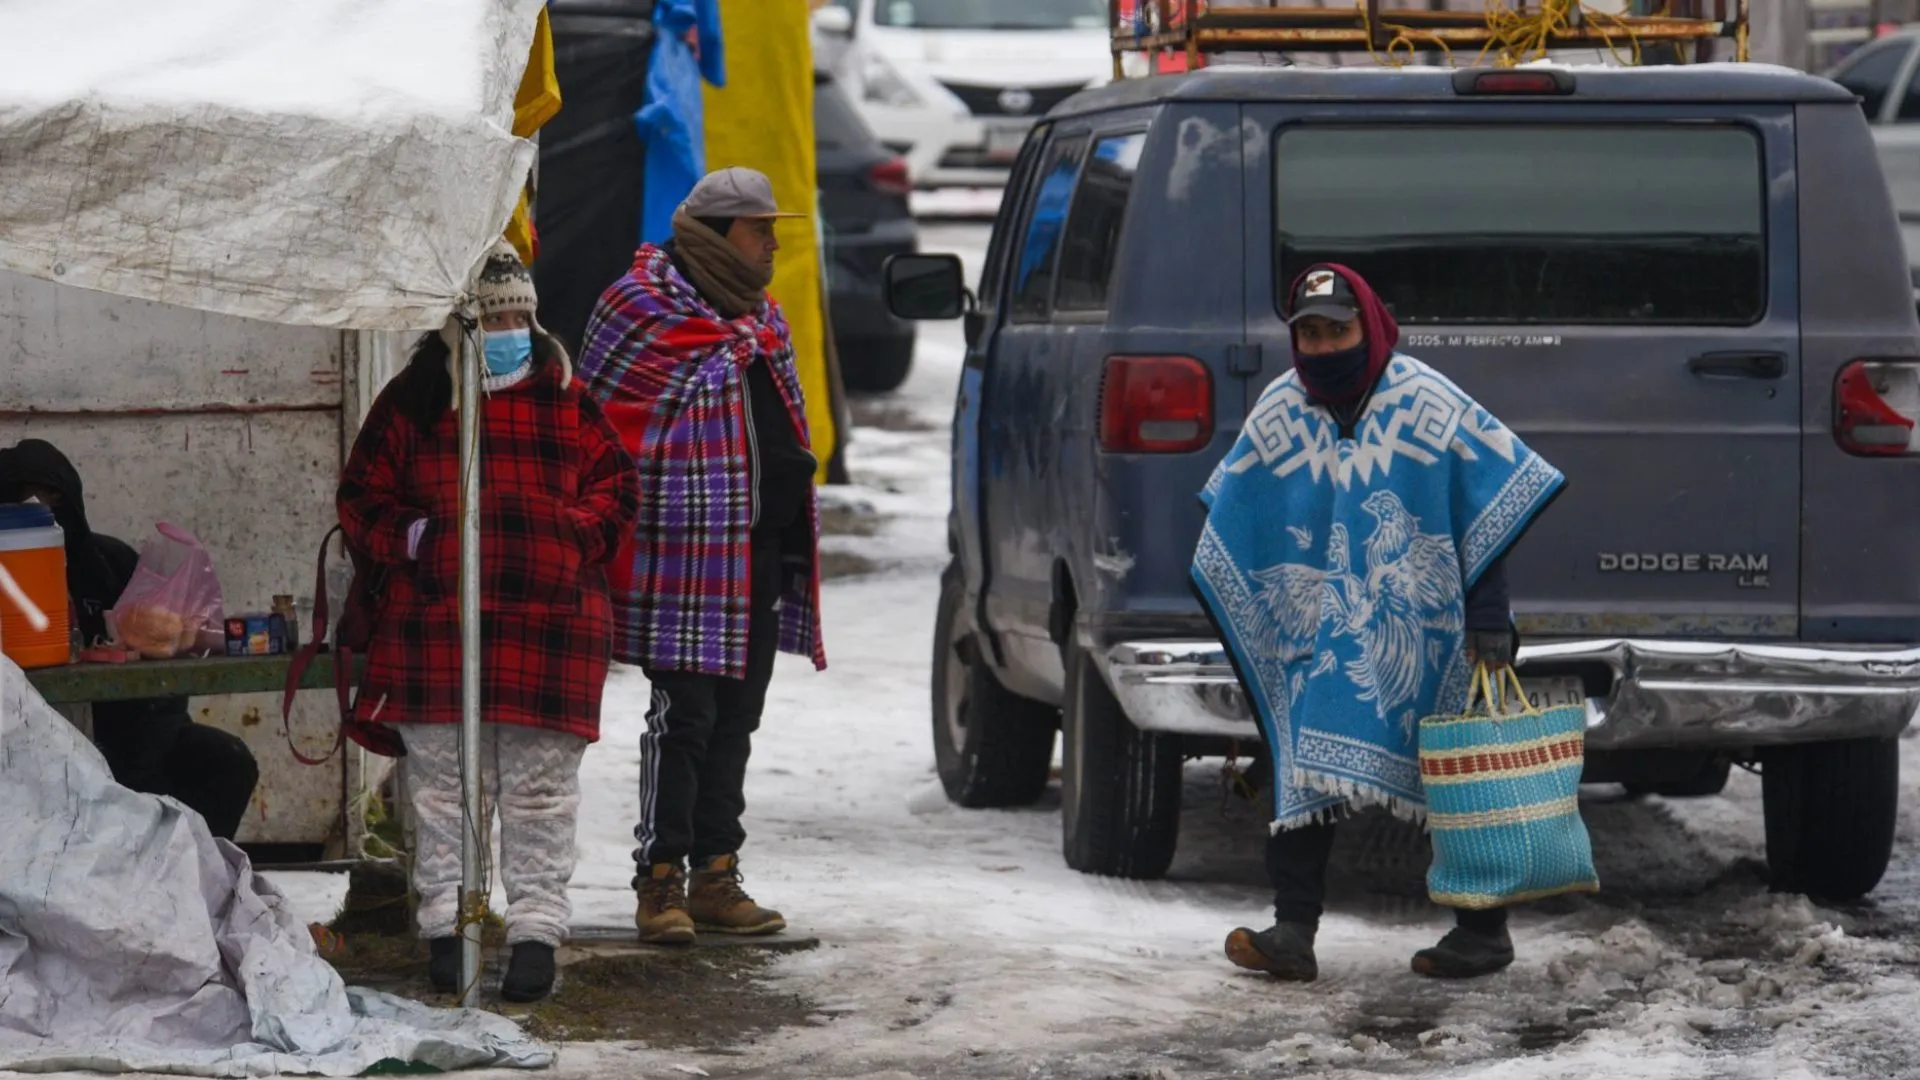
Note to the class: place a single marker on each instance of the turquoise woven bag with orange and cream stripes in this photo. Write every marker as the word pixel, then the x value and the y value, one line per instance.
pixel 1502 800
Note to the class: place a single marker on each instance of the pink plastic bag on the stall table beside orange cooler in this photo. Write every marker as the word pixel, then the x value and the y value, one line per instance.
pixel 174 602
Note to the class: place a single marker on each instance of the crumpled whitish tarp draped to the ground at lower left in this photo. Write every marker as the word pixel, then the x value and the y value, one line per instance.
pixel 132 941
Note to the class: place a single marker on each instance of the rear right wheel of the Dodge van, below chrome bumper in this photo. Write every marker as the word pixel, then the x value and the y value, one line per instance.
pixel 1831 812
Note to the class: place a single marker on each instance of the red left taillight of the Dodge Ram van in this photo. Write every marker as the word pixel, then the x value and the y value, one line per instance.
pixel 1157 405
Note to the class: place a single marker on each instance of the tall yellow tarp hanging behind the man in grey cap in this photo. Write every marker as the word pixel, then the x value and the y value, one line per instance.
pixel 765 120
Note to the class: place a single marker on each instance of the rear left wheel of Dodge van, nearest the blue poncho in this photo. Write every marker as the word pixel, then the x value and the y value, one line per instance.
pixel 1120 789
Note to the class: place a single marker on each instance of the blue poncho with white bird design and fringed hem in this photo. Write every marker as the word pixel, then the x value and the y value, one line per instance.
pixel 1339 570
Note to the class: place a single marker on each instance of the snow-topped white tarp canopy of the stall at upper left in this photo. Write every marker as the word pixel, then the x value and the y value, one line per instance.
pixel 318 162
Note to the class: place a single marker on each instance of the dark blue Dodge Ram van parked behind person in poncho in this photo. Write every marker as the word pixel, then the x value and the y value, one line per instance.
pixel 1681 285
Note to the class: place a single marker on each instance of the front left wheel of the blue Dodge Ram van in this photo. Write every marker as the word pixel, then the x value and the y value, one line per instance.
pixel 992 747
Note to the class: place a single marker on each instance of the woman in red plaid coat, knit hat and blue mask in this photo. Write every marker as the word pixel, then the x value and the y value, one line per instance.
pixel 558 499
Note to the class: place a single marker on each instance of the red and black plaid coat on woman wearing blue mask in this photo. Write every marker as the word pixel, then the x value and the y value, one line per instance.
pixel 558 495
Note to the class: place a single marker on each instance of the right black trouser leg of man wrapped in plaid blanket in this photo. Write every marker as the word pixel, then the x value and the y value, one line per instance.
pixel 723 785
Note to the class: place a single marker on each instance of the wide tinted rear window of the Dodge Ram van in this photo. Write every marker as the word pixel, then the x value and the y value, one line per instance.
pixel 1452 224
